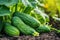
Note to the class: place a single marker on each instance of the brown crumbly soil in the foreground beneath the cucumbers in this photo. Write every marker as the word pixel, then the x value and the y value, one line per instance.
pixel 43 36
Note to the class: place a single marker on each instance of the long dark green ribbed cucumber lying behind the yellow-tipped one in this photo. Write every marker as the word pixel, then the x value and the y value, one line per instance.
pixel 27 19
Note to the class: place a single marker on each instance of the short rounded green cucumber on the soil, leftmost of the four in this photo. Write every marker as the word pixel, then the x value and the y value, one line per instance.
pixel 11 30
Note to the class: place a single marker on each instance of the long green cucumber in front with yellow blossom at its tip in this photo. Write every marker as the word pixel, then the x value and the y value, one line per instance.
pixel 25 29
